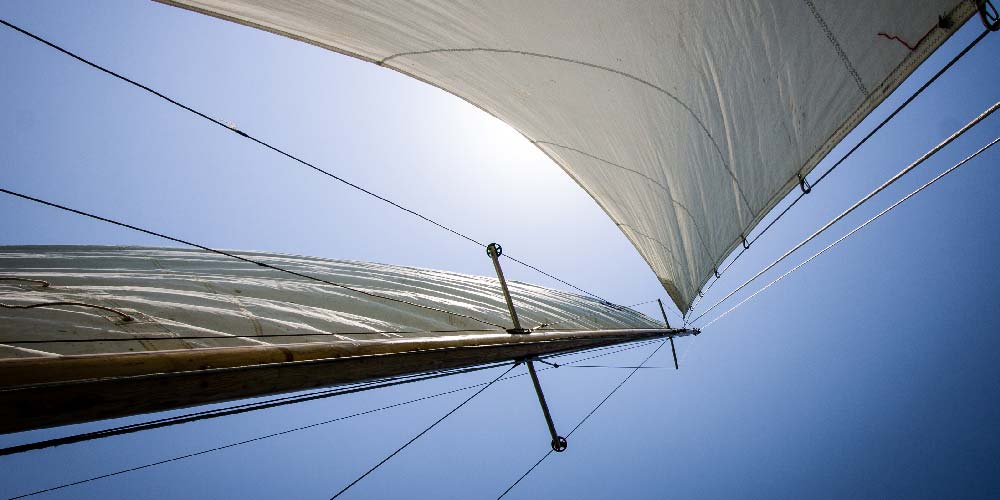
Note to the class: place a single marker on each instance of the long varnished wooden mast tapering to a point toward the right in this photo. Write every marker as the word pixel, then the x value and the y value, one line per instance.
pixel 47 392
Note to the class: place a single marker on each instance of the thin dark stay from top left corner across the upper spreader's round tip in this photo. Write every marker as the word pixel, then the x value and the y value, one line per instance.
pixel 282 152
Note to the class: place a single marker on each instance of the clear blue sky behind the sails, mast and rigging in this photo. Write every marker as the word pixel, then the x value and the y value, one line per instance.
pixel 871 373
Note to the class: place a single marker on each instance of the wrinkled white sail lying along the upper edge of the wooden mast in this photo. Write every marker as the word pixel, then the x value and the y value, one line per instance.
pixel 175 294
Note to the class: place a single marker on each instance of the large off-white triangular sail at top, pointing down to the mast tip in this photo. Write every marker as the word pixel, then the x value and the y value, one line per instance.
pixel 686 121
